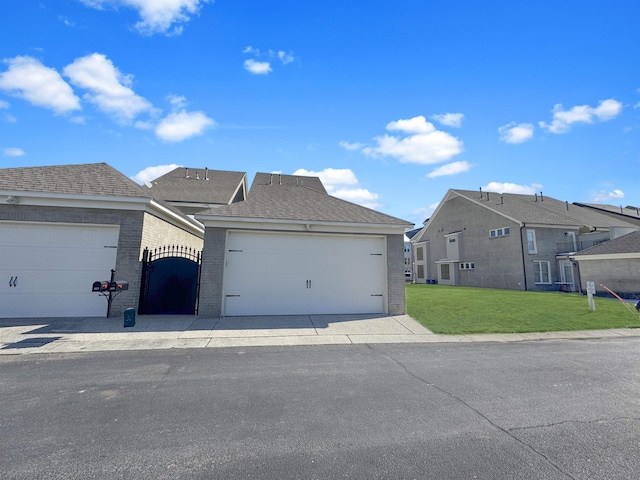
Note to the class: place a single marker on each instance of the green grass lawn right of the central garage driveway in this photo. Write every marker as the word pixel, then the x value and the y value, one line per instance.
pixel 455 310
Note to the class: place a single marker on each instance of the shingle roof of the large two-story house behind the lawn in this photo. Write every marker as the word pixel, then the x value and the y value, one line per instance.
pixel 543 210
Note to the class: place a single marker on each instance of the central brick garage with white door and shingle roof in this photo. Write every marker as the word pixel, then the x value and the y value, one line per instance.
pixel 290 248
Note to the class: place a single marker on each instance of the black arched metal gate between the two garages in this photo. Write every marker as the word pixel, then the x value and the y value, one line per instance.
pixel 170 281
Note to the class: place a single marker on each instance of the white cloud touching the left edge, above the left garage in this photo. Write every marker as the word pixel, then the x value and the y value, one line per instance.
pixel 42 86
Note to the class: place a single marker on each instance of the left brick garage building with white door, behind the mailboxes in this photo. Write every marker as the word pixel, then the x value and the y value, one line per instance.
pixel 64 227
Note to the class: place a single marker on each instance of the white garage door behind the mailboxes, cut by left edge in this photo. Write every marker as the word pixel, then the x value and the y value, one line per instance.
pixel 46 269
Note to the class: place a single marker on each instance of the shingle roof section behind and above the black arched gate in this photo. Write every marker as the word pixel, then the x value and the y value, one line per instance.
pixel 197 186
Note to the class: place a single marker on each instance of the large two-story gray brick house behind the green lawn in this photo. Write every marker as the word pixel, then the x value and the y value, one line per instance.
pixel 520 242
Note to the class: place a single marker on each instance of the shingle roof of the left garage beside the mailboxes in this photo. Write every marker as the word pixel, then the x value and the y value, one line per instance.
pixel 94 179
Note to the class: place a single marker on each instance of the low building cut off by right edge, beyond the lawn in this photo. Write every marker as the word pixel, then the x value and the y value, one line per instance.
pixel 614 264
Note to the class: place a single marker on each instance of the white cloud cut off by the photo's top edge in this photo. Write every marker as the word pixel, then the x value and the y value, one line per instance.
pixel 157 16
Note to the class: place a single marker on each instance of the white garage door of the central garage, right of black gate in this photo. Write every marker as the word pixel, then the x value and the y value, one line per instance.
pixel 286 274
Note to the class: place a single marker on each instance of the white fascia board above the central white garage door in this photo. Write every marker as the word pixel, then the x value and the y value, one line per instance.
pixel 299 225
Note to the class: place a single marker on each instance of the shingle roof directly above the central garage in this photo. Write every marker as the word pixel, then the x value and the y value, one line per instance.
pixel 288 197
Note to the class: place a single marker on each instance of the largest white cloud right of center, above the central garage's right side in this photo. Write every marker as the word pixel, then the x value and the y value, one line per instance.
pixel 424 144
